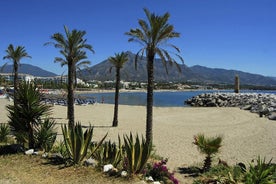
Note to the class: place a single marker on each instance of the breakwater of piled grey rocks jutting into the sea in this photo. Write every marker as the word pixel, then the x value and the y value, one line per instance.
pixel 262 103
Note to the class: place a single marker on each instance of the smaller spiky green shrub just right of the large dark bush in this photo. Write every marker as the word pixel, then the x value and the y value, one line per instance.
pixel 45 135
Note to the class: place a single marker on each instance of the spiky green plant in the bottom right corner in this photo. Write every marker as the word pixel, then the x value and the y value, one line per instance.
pixel 261 173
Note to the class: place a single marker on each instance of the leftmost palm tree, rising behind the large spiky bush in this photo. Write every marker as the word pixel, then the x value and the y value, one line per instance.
pixel 15 54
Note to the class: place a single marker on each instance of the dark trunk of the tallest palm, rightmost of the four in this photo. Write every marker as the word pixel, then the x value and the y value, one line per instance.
pixel 150 58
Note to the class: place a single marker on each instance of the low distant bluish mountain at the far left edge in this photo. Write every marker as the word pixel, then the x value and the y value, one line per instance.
pixel 29 69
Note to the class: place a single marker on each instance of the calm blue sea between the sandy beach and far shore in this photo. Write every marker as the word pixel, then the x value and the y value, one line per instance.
pixel 160 98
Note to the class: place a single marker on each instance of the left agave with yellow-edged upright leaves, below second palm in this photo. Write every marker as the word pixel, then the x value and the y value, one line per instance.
pixel 77 142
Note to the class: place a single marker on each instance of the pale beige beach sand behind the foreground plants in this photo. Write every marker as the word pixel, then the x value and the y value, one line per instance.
pixel 245 135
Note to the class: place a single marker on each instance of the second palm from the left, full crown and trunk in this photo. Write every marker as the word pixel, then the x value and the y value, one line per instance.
pixel 73 49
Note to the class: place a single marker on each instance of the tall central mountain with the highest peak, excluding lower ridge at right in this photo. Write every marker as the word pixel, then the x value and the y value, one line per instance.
pixel 101 71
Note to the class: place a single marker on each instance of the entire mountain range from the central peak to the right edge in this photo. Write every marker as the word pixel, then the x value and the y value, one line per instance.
pixel 196 73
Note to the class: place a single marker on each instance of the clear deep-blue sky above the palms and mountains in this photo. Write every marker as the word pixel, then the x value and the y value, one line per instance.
pixel 229 34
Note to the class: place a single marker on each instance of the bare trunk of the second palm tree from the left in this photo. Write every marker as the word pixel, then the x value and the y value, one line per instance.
pixel 70 96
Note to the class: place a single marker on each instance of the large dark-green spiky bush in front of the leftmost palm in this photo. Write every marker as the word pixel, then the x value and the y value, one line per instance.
pixel 27 114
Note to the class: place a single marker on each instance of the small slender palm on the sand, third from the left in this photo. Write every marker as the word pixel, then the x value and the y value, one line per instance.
pixel 118 61
